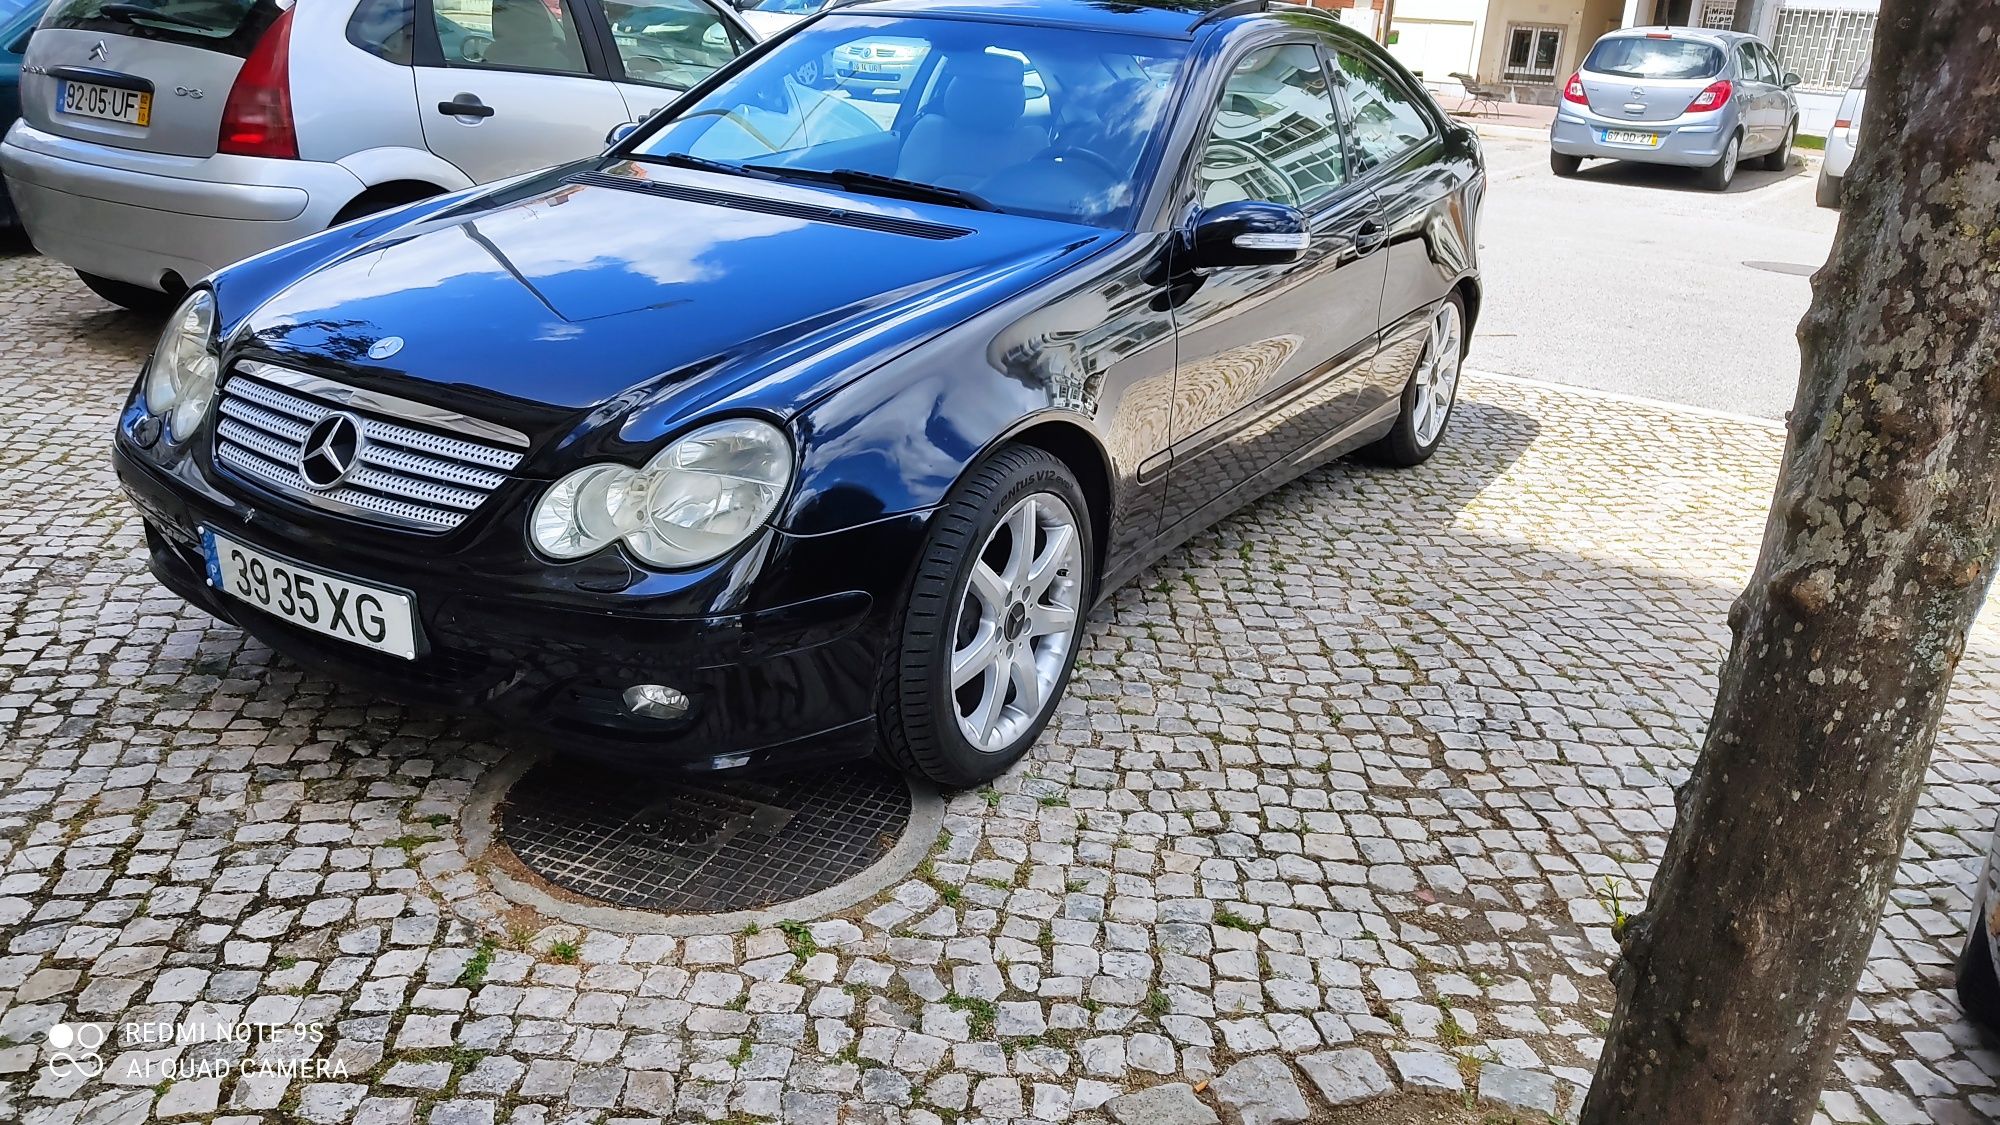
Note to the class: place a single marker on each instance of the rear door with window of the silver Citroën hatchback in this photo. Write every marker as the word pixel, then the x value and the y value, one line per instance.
pixel 509 87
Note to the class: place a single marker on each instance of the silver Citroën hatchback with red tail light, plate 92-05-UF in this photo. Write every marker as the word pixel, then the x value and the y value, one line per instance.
pixel 161 143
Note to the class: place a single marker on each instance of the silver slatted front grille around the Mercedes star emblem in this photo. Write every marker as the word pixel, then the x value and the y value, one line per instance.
pixel 407 477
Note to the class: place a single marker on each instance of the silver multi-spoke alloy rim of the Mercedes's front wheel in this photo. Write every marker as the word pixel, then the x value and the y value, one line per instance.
pixel 1017 622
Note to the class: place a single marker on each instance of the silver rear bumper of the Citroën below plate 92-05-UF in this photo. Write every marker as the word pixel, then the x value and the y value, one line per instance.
pixel 139 217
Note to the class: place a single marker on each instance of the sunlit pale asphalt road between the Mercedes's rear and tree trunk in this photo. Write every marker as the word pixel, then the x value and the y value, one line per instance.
pixel 1633 279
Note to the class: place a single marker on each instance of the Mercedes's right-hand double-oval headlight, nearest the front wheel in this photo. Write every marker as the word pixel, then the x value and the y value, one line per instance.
pixel 695 501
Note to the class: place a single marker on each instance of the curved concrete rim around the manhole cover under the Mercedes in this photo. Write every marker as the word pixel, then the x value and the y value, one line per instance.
pixel 481 834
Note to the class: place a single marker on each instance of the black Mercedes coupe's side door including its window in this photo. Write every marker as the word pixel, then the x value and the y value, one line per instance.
pixel 1273 357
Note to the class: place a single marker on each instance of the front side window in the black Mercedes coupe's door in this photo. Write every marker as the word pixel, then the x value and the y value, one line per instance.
pixel 1275 135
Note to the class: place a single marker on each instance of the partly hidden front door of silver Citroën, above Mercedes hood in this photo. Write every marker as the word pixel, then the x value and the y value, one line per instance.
pixel 665 47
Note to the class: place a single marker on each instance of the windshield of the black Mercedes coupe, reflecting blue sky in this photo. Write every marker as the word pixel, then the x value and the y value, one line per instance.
pixel 1005 117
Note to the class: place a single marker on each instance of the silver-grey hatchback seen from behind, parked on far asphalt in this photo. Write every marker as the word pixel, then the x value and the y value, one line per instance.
pixel 1689 97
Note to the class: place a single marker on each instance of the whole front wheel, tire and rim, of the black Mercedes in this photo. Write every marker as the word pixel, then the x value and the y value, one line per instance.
pixel 929 726
